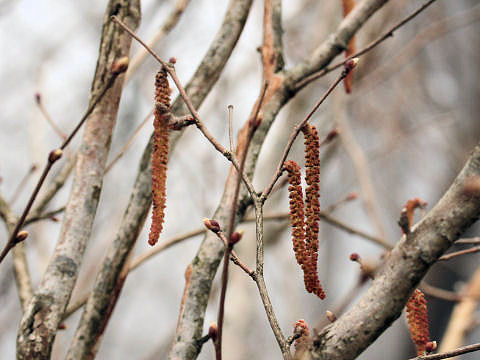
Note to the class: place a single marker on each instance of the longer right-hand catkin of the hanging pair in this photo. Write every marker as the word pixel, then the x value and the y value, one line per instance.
pixel 312 205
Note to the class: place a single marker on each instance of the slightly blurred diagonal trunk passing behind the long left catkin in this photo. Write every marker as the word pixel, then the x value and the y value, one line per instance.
pixel 109 276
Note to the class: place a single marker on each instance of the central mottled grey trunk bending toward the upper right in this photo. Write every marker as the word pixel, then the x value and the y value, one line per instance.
pixel 280 91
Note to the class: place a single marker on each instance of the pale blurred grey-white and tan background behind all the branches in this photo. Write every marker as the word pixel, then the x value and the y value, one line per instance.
pixel 406 131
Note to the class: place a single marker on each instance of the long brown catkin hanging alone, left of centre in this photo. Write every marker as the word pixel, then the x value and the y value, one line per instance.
pixel 160 154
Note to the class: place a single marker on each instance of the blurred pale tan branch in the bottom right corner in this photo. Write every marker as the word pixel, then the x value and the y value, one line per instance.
pixel 462 316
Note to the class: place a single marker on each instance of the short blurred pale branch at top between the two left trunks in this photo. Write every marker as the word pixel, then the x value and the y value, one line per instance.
pixel 168 25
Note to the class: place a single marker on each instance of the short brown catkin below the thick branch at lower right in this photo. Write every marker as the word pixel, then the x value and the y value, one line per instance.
pixel 417 317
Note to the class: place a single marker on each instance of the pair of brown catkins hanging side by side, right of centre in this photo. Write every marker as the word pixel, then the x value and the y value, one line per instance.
pixel 304 218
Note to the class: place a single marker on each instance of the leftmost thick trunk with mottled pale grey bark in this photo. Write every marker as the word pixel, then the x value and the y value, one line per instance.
pixel 45 310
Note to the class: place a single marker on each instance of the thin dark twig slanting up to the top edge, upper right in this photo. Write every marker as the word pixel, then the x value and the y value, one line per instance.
pixel 370 46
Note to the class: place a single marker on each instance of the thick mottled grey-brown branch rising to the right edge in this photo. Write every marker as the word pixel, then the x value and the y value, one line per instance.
pixel 404 267
